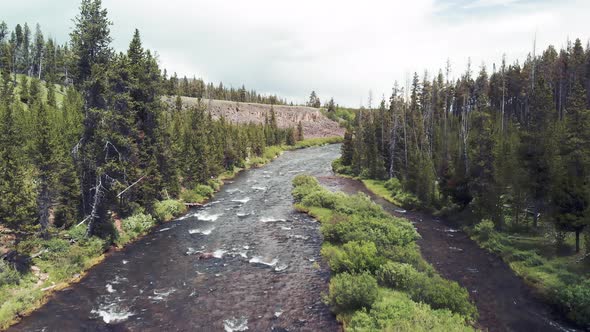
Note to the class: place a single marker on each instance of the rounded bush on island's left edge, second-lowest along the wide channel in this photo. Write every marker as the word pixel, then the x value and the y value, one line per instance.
pixel 350 292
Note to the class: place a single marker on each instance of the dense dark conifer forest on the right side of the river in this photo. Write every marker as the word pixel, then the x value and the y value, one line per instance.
pixel 513 145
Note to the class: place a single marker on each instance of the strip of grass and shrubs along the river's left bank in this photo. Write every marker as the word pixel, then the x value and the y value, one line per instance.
pixel 66 258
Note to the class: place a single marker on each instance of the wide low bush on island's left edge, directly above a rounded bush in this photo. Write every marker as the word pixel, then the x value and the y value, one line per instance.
pixel 352 257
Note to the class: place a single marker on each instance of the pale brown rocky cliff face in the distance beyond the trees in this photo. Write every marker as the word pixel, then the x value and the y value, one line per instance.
pixel 315 124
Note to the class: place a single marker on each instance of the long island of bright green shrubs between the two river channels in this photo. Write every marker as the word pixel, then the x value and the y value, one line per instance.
pixel 379 279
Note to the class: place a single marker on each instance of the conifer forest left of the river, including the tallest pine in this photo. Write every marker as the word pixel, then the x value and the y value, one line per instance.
pixel 104 146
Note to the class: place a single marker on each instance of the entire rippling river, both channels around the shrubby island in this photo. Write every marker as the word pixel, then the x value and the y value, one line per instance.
pixel 247 260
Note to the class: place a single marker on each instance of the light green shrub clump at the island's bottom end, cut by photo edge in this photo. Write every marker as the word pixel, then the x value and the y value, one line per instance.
pixel 394 311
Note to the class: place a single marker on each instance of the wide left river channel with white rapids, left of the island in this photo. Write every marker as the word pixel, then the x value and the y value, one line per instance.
pixel 246 260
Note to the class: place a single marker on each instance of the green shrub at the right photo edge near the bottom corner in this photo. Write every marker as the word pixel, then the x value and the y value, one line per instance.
pixel 576 298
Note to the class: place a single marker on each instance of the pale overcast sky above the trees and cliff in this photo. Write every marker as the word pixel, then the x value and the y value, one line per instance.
pixel 338 48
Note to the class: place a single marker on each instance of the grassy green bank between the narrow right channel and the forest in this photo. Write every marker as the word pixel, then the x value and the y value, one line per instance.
pixel 556 278
